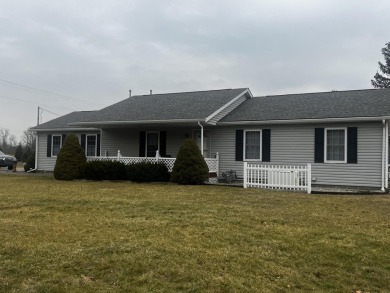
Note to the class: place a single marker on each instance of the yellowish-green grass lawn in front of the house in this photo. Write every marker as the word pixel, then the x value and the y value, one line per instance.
pixel 121 237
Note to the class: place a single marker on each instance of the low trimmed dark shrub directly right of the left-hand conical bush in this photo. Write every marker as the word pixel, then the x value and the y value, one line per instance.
pixel 105 170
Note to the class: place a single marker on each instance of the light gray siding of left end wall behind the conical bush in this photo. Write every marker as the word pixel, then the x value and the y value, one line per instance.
pixel 48 163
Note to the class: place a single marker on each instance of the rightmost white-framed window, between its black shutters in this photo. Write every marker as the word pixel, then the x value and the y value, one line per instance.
pixel 335 145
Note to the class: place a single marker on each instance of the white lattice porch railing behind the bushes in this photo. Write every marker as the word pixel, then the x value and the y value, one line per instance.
pixel 212 163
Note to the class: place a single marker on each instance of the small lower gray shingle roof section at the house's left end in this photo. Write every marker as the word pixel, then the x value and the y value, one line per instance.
pixel 63 121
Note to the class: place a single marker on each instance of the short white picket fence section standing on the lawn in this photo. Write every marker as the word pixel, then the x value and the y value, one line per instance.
pixel 277 176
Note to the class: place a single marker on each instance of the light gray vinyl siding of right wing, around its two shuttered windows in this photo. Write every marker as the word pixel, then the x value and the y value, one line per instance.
pixel 294 144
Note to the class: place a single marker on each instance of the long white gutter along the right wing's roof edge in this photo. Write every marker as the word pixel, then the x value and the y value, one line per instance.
pixel 299 121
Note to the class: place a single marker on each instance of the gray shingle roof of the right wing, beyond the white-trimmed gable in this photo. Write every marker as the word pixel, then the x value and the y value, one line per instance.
pixel 338 104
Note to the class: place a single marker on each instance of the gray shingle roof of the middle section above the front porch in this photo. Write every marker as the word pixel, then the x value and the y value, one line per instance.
pixel 189 105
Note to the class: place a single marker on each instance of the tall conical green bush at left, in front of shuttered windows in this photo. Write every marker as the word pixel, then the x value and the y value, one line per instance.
pixel 71 160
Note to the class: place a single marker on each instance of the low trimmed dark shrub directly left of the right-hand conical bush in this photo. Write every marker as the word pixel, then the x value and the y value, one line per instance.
pixel 148 172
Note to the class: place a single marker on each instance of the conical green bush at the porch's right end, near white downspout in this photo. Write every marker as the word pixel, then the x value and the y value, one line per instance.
pixel 190 166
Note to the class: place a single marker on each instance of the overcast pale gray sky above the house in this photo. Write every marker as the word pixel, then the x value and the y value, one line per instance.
pixel 85 55
